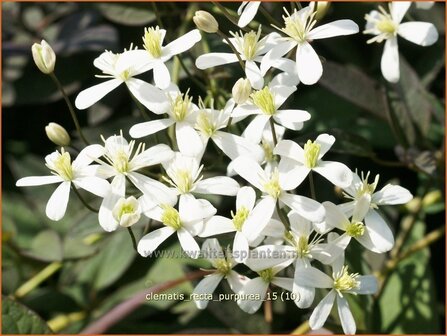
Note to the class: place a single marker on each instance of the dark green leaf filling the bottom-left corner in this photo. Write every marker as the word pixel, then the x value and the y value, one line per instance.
pixel 18 319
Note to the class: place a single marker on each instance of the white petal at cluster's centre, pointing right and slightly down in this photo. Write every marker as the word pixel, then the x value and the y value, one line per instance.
pixel 234 146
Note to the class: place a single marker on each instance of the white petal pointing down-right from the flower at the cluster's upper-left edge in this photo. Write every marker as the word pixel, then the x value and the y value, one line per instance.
pixel 151 97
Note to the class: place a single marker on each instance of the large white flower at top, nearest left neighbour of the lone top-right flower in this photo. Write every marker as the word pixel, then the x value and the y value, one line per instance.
pixel 299 28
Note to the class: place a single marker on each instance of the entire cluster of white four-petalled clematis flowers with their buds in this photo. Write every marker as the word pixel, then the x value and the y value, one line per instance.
pixel 274 227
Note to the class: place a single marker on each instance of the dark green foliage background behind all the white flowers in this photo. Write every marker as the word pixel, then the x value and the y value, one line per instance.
pixel 395 130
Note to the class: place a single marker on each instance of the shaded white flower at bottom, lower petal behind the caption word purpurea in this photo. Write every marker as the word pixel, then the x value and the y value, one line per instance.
pixel 263 260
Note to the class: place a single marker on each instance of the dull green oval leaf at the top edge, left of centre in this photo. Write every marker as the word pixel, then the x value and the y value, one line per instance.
pixel 135 14
